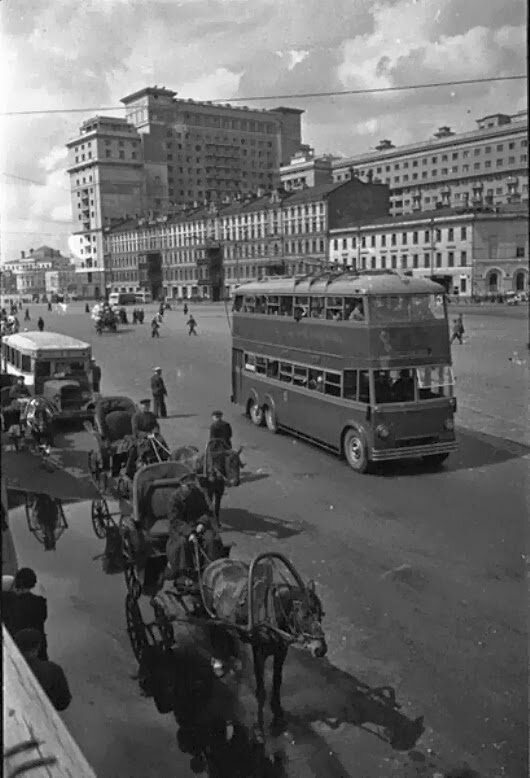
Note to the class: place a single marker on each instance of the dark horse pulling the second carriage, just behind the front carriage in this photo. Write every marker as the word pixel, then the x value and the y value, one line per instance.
pixel 217 468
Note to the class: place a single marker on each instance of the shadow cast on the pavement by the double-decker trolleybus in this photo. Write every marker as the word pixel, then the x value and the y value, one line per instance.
pixel 475 449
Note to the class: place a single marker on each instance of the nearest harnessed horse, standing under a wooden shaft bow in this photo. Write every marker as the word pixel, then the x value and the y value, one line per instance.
pixel 281 615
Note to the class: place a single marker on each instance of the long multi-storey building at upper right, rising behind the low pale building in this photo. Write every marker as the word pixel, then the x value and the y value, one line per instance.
pixel 443 168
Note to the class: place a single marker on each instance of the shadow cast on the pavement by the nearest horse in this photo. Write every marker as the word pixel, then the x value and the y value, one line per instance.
pixel 316 691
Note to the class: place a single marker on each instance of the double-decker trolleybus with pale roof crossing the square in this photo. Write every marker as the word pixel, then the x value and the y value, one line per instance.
pixel 359 363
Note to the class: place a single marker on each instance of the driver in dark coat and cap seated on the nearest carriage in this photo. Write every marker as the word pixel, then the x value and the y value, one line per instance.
pixel 190 517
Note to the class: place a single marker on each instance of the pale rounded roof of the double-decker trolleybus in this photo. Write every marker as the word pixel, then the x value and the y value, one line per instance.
pixel 342 285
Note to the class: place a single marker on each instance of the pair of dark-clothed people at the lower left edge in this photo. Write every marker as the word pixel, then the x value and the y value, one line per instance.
pixel 24 615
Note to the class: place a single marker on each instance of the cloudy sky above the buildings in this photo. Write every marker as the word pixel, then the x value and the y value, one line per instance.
pixel 63 54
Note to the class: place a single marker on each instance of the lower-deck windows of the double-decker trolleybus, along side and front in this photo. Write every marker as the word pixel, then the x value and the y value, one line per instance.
pixel 389 386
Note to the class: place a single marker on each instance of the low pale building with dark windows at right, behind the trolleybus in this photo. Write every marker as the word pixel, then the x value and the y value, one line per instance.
pixel 473 251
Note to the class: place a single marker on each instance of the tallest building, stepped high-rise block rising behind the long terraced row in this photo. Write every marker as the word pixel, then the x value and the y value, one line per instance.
pixel 169 152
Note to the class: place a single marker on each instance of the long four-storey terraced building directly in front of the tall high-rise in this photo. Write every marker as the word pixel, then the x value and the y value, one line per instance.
pixel 207 251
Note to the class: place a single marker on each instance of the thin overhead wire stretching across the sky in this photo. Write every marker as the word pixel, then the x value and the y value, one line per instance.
pixel 295 96
